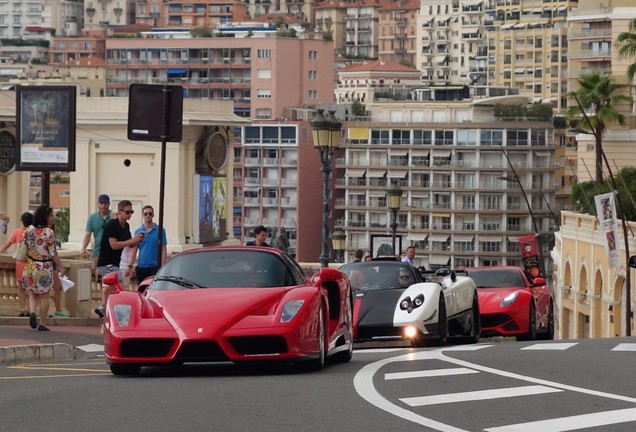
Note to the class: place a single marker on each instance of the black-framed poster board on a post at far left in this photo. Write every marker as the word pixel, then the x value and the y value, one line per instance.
pixel 45 133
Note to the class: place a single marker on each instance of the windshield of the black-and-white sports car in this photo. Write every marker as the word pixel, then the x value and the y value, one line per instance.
pixel 379 275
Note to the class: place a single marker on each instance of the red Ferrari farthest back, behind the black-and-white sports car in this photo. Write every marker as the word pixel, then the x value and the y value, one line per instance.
pixel 512 303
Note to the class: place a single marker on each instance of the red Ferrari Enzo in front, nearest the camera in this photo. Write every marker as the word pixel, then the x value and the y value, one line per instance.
pixel 236 304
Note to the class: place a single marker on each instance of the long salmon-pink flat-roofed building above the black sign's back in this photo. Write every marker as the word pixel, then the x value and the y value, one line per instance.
pixel 261 75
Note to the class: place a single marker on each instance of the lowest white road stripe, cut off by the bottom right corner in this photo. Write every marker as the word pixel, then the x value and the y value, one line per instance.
pixel 584 421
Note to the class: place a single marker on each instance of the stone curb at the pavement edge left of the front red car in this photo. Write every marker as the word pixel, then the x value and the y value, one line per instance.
pixel 16 354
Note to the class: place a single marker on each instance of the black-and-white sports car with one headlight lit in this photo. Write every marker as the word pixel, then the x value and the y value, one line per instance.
pixel 394 301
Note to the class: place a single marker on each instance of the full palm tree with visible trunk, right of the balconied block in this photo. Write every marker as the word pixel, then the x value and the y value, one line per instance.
pixel 598 92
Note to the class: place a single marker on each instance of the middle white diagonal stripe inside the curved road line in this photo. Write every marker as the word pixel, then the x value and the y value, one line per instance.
pixel 478 395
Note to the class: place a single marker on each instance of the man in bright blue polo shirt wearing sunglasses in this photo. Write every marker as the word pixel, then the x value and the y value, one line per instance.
pixel 147 256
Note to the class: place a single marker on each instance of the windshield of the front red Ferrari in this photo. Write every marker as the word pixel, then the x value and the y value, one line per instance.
pixel 226 268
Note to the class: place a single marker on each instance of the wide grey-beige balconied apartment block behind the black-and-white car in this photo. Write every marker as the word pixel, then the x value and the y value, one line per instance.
pixel 472 183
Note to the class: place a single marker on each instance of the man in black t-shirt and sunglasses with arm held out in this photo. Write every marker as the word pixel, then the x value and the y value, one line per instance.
pixel 115 237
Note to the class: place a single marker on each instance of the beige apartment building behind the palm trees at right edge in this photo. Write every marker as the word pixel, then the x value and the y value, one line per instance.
pixel 592 30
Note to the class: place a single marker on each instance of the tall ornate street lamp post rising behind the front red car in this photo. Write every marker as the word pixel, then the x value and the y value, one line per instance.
pixel 326 136
